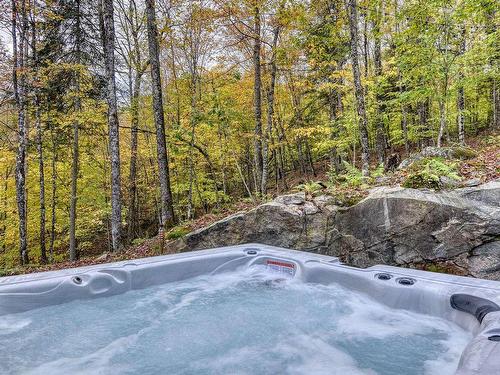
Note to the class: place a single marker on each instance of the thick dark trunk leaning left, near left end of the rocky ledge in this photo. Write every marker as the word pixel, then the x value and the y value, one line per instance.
pixel 167 210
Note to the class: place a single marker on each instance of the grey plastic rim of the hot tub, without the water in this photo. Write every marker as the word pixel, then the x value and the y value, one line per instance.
pixel 471 303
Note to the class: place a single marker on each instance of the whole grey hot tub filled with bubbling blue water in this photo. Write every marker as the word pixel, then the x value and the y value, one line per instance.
pixel 247 309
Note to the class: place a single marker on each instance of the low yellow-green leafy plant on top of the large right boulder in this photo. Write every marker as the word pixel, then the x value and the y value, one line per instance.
pixel 427 173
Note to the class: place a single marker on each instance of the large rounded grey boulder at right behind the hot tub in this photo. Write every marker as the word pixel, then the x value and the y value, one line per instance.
pixel 409 227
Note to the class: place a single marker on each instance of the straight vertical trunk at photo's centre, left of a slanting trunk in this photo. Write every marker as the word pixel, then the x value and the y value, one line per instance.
pixel 257 98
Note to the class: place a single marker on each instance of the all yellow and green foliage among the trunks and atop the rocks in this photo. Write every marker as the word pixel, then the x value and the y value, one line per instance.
pixel 211 126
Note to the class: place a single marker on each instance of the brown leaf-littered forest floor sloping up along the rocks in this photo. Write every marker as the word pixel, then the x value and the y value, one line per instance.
pixel 484 166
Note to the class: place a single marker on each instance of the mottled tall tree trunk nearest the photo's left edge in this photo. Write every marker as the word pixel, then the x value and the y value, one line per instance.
pixel 19 86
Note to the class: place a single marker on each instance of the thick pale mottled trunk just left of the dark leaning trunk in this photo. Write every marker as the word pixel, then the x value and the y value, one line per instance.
pixel 114 134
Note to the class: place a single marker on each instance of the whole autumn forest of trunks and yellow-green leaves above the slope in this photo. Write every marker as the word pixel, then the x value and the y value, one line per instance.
pixel 121 119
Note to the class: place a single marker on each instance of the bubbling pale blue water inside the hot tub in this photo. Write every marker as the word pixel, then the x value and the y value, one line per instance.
pixel 245 322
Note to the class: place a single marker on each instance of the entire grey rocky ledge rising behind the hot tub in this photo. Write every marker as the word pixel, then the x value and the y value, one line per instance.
pixel 455 231
